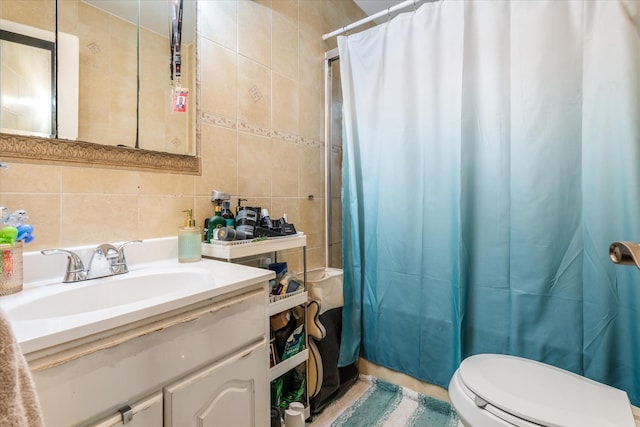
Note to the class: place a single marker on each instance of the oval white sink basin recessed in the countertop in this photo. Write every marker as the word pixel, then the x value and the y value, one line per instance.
pixel 108 293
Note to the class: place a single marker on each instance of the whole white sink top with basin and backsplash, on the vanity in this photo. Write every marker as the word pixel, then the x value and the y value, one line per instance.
pixel 49 313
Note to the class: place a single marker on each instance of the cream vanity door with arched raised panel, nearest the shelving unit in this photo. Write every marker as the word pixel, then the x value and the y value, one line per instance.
pixel 233 392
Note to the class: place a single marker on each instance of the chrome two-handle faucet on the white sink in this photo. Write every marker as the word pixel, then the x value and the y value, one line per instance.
pixel 106 260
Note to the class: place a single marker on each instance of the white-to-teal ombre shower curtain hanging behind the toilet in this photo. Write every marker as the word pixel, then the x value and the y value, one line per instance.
pixel 491 155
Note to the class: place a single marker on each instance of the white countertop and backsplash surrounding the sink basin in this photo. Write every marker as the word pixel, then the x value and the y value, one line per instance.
pixel 43 276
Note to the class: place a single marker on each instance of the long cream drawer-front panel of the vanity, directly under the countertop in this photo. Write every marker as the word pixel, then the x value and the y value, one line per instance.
pixel 94 380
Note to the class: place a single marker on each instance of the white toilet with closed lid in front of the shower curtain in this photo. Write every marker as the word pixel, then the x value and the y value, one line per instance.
pixel 491 390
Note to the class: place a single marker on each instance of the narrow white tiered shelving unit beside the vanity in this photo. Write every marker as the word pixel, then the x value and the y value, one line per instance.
pixel 236 249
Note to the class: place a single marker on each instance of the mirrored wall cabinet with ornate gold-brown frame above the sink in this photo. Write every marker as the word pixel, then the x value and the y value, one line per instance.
pixel 119 123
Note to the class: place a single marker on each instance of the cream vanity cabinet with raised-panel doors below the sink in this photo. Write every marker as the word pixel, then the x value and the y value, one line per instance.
pixel 199 365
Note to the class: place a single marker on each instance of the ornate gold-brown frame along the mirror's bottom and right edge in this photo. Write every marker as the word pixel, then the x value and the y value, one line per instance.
pixel 30 149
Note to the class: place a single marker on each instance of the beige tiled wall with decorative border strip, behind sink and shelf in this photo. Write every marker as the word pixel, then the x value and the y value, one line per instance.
pixel 261 137
